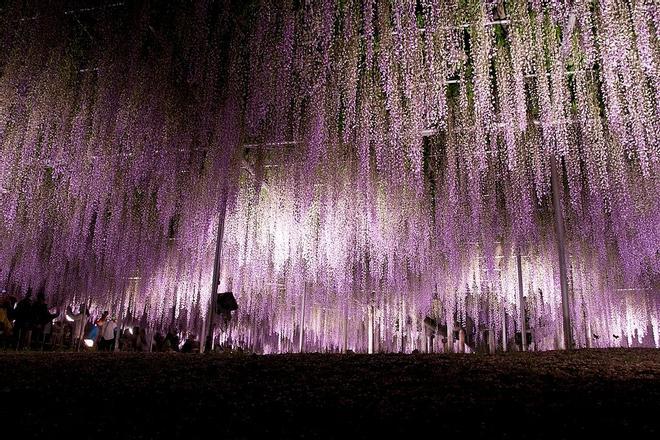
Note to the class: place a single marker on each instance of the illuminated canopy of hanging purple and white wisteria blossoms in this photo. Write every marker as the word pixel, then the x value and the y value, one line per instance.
pixel 368 162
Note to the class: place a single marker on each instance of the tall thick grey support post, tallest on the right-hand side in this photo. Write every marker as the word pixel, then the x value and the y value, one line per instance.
pixel 561 248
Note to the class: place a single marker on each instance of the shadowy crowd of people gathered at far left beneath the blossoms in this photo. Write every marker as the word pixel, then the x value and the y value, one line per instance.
pixel 32 325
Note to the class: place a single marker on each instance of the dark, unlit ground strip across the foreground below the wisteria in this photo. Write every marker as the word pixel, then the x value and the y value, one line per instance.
pixel 535 395
